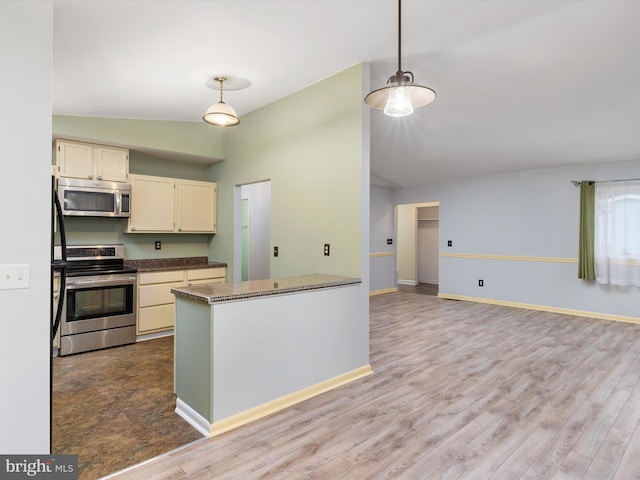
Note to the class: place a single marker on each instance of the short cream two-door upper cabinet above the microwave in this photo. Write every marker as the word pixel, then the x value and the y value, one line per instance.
pixel 93 162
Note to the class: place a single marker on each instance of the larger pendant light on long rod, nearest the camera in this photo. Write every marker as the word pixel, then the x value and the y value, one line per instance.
pixel 401 95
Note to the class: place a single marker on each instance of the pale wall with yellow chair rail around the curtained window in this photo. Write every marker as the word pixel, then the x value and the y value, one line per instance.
pixel 533 215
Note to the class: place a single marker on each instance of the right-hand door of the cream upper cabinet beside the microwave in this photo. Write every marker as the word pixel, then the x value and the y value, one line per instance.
pixel 196 206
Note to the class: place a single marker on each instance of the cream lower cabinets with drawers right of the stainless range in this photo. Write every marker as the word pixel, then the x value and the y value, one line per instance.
pixel 156 303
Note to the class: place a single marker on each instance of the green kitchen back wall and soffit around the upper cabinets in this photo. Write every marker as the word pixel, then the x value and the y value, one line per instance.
pixel 165 149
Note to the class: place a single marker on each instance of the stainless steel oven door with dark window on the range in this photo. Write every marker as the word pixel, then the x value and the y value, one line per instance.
pixel 98 302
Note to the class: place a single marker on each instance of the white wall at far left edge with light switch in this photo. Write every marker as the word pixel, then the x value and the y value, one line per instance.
pixel 25 95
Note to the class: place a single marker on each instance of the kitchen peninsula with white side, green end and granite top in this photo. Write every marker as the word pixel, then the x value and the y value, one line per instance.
pixel 248 349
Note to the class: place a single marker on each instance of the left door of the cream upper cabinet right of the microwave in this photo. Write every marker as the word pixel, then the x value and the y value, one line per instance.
pixel 152 204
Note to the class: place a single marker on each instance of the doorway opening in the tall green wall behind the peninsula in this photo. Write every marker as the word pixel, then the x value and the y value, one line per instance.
pixel 252 231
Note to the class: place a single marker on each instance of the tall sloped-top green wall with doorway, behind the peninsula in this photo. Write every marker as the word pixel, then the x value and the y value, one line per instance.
pixel 310 145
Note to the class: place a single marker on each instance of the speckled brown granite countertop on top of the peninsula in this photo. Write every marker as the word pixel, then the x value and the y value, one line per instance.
pixel 227 292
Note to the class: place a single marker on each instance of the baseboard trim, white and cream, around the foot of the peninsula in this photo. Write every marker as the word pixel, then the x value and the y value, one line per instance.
pixel 216 428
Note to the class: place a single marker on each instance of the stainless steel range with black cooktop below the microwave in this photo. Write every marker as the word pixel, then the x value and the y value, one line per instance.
pixel 100 299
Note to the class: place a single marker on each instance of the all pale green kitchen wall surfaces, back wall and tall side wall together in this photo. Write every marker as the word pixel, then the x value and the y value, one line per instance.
pixel 309 144
